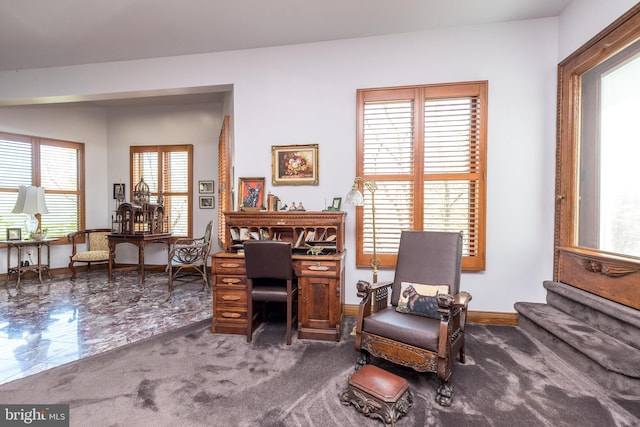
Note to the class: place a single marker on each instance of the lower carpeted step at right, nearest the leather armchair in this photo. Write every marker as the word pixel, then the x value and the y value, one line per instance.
pixel 606 360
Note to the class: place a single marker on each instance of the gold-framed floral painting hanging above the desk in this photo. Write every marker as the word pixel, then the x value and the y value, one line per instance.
pixel 294 164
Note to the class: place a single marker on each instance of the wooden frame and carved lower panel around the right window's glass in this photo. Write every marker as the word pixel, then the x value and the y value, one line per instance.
pixel 613 276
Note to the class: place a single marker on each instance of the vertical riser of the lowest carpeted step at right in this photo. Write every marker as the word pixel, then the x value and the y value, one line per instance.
pixel 612 381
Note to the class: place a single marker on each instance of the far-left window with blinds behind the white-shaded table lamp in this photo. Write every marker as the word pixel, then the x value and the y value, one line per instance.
pixel 55 165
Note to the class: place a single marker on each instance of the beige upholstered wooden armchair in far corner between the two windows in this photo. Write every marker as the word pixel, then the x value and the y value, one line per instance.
pixel 97 249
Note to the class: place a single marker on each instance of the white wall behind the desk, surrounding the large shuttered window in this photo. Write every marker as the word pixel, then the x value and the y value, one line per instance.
pixel 305 94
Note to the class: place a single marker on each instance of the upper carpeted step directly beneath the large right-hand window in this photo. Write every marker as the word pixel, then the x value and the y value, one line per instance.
pixel 617 320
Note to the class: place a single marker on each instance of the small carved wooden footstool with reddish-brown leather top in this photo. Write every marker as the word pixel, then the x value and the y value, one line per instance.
pixel 378 394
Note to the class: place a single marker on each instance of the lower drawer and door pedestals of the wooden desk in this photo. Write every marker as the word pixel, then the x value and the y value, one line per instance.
pixel 320 294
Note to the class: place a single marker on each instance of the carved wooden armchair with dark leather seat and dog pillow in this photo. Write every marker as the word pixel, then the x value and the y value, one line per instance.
pixel 422 342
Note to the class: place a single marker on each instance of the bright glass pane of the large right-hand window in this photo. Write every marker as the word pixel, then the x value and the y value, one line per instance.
pixel 609 200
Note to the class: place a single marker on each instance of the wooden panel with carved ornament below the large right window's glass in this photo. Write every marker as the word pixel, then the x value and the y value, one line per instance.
pixel 613 279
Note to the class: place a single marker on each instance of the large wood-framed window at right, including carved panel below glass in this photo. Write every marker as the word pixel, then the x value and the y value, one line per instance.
pixel 597 201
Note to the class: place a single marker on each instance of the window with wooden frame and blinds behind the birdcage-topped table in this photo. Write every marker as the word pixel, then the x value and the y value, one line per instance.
pixel 167 170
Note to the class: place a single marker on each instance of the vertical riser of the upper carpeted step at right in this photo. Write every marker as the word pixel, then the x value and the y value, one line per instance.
pixel 616 328
